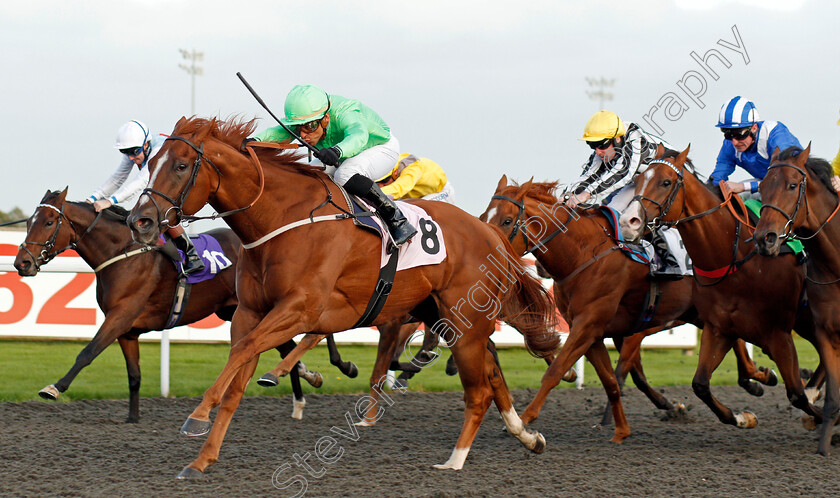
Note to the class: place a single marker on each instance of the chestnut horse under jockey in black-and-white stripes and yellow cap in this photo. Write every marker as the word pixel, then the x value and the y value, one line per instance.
pixel 598 291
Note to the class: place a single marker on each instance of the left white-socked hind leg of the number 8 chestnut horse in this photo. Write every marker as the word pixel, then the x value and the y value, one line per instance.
pixel 472 359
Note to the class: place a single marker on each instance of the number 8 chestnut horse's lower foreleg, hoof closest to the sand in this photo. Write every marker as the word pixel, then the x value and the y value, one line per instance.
pixel 209 452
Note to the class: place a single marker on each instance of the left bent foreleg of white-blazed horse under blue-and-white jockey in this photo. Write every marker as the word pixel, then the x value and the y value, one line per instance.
pixel 713 348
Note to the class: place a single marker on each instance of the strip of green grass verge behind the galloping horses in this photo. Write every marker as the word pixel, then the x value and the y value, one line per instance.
pixel 27 366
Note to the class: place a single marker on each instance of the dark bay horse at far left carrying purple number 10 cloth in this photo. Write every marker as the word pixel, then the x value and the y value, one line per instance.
pixel 135 293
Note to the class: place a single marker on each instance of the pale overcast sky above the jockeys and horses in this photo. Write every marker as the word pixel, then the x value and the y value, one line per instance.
pixel 484 88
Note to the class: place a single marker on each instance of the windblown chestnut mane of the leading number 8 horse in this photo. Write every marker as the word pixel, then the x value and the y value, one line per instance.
pixel 233 131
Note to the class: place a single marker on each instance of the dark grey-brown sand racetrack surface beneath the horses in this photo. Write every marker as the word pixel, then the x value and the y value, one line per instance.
pixel 84 448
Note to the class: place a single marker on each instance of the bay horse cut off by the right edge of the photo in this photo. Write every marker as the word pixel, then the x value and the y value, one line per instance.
pixel 799 202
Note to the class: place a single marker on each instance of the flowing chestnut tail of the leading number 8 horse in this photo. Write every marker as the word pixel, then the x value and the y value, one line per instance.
pixel 529 308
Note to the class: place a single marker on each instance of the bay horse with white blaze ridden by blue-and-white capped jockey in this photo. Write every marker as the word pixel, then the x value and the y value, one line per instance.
pixel 737 295
